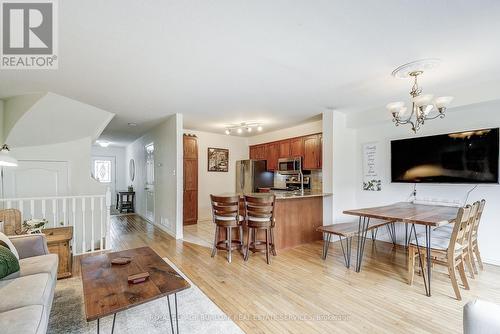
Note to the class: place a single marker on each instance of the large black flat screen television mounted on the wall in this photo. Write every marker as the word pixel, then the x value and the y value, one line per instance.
pixel 462 157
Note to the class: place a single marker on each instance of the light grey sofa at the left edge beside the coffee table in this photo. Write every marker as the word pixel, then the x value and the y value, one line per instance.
pixel 26 296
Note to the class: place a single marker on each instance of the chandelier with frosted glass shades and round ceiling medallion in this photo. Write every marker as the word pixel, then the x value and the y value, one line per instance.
pixel 423 106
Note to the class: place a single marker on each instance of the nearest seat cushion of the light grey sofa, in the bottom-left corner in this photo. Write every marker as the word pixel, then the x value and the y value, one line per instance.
pixel 26 320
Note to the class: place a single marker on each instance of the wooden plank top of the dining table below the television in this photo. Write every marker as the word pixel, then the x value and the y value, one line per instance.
pixel 433 215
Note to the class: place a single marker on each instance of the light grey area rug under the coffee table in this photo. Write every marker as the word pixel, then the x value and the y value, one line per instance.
pixel 197 313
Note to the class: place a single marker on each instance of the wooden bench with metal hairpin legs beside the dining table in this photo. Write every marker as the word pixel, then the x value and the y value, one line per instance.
pixel 347 231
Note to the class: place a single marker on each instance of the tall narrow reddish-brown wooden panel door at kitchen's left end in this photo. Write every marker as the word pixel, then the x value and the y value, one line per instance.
pixel 190 193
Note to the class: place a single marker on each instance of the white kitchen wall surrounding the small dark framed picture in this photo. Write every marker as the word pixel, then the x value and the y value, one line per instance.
pixel 216 182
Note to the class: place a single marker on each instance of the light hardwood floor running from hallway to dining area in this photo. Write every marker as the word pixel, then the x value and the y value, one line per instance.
pixel 299 290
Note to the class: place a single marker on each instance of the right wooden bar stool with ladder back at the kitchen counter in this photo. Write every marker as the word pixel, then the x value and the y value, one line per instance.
pixel 260 216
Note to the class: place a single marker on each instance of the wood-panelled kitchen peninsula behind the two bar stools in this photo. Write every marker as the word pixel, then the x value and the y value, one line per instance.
pixel 297 218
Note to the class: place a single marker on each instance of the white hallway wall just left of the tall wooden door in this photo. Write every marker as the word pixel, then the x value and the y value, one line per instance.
pixel 167 138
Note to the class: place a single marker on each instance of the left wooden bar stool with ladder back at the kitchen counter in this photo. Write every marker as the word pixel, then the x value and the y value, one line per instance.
pixel 226 215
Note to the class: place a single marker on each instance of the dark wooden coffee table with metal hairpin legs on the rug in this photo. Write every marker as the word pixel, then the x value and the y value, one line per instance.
pixel 106 289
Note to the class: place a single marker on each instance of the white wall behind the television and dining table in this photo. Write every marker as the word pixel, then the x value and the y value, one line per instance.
pixel 458 119
